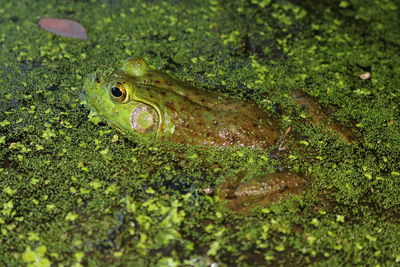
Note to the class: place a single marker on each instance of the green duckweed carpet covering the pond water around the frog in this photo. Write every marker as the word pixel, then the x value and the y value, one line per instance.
pixel 75 193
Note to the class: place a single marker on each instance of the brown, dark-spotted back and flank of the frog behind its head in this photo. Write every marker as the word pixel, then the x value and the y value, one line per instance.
pixel 229 122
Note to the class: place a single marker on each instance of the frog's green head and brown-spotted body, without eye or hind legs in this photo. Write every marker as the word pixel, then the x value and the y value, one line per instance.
pixel 180 112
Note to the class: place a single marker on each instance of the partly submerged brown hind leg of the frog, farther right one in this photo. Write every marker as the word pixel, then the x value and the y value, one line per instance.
pixel 319 117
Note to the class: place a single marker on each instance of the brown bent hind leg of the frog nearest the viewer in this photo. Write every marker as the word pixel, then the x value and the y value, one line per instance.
pixel 260 190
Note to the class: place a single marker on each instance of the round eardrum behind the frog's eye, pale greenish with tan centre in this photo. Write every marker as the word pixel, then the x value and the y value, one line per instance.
pixel 144 118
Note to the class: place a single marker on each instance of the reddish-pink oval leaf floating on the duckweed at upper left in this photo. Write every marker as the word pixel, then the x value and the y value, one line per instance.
pixel 63 27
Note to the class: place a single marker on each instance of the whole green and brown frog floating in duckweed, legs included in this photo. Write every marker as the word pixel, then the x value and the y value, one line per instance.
pixel 150 105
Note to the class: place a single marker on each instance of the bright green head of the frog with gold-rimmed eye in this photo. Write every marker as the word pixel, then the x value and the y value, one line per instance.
pixel 115 97
